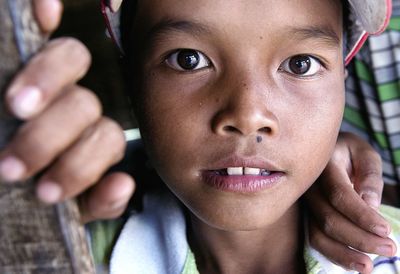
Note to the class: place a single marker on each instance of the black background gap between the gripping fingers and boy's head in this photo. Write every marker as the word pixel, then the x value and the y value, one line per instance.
pixel 83 19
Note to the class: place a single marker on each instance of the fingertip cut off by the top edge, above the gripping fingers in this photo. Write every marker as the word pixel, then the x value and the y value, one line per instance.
pixel 48 14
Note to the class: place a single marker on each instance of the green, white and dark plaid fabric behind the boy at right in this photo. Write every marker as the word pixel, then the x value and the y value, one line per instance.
pixel 373 96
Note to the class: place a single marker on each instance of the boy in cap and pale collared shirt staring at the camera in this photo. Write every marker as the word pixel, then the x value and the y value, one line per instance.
pixel 239 105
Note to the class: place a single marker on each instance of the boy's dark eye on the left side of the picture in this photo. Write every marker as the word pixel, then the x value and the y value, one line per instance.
pixel 187 59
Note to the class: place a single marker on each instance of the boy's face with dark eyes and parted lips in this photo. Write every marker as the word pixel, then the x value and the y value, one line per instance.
pixel 257 91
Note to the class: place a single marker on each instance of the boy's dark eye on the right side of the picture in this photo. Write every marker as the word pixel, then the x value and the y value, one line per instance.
pixel 302 65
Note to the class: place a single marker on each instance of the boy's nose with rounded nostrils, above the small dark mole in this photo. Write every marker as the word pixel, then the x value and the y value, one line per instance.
pixel 245 112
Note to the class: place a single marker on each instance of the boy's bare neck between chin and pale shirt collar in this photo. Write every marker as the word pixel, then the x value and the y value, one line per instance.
pixel 277 248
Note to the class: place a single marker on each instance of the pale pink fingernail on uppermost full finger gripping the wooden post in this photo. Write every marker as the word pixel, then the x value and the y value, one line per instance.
pixel 26 102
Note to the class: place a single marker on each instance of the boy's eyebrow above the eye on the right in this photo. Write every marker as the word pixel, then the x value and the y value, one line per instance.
pixel 323 33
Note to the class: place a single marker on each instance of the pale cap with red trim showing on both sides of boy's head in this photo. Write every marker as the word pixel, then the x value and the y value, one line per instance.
pixel 366 17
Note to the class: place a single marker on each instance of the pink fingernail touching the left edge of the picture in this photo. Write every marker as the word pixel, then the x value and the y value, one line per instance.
pixel 12 169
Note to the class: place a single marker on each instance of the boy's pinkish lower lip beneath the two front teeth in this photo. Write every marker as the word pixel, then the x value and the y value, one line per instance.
pixel 241 183
